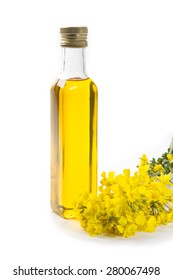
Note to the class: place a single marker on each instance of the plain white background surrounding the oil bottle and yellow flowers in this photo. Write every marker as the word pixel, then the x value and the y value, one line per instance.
pixel 130 58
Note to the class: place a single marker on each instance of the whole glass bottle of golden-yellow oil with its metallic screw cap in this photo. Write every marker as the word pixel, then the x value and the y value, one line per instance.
pixel 73 126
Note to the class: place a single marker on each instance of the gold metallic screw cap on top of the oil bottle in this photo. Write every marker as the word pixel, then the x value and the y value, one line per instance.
pixel 74 37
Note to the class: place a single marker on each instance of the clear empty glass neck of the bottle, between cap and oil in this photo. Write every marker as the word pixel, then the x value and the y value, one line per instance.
pixel 73 64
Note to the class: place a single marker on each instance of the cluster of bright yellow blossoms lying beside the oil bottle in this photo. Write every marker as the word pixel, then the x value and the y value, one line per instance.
pixel 126 204
